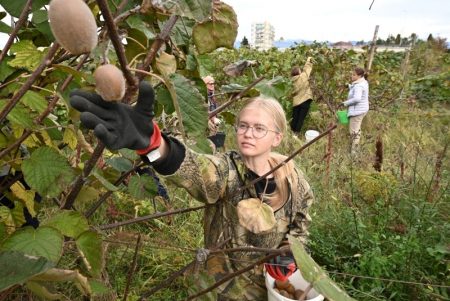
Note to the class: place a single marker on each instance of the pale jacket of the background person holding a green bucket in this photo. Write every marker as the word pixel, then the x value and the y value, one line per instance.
pixel 358 98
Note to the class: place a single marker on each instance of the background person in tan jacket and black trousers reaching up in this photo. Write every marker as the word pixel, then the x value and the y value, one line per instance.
pixel 302 95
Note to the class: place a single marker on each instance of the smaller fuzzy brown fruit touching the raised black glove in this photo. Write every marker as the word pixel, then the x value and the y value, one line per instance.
pixel 109 82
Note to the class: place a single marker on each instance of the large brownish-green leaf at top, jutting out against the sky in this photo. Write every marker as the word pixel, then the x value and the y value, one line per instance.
pixel 219 31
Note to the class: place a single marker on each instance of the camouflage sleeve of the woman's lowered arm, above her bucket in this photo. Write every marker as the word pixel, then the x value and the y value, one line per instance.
pixel 303 199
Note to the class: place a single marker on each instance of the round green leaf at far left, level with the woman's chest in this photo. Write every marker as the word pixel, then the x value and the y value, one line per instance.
pixel 47 172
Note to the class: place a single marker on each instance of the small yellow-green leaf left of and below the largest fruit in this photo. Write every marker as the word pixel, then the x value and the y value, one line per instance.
pixel 27 56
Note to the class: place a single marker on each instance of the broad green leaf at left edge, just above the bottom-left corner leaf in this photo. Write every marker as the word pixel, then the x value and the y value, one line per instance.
pixel 43 241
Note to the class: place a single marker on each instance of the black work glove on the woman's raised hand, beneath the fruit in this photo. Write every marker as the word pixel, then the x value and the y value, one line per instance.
pixel 116 124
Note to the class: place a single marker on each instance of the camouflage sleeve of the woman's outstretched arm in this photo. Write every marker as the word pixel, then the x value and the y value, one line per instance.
pixel 203 176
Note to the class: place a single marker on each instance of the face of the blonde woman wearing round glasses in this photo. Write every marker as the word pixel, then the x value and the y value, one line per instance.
pixel 256 132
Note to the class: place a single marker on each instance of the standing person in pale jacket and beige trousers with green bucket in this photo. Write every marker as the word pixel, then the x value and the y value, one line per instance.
pixel 357 104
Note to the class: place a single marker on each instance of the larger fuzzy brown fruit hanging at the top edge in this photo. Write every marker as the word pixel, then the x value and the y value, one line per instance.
pixel 73 25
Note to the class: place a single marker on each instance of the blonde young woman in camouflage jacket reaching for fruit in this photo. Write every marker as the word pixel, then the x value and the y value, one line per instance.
pixel 216 180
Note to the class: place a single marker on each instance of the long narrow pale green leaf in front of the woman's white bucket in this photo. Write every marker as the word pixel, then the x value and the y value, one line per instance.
pixel 314 274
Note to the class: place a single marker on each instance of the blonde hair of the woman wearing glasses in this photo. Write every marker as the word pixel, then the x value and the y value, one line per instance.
pixel 286 172
